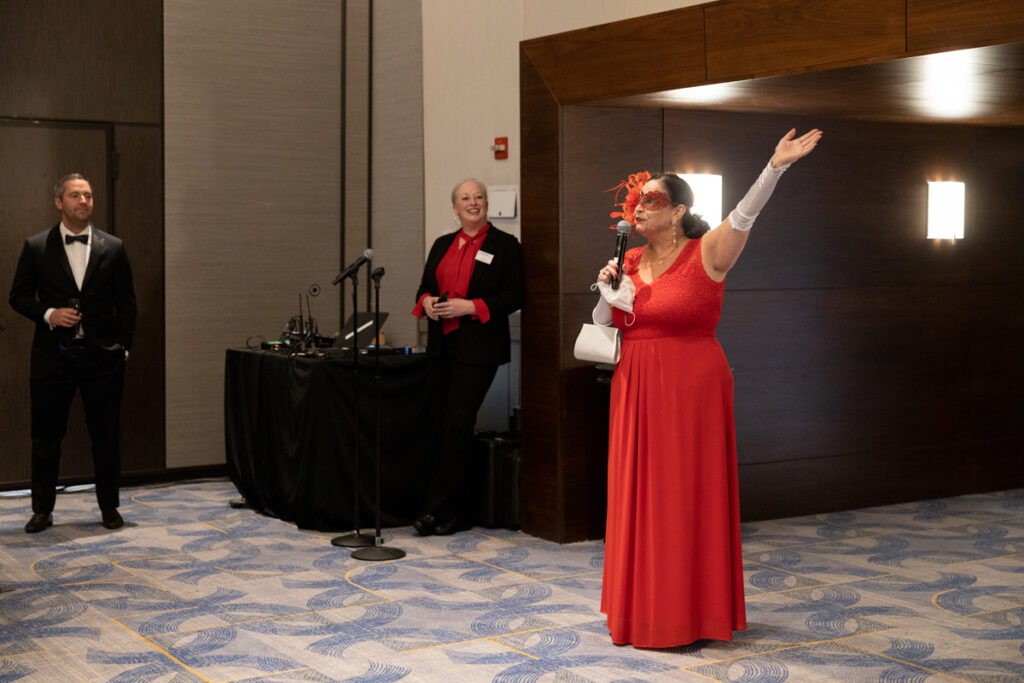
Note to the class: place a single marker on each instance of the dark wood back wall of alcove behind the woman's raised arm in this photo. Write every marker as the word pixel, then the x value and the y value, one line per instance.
pixel 854 338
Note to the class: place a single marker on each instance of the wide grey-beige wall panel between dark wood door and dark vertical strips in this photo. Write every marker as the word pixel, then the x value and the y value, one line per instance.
pixel 252 110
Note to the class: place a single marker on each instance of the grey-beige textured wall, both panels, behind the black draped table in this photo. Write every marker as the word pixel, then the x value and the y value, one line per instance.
pixel 258 96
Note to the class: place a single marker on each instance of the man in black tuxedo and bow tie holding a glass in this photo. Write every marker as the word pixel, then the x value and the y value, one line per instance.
pixel 74 282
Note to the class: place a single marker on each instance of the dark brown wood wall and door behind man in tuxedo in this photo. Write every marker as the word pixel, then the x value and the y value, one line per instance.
pixel 83 92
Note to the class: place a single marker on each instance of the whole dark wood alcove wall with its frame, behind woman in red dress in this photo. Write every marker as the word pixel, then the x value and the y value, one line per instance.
pixel 890 330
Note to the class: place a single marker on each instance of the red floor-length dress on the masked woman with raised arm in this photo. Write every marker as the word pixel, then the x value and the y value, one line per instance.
pixel 673 569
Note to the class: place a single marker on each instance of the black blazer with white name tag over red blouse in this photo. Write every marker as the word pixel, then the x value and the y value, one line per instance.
pixel 501 286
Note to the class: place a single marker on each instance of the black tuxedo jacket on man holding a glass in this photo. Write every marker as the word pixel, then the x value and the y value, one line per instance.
pixel 44 280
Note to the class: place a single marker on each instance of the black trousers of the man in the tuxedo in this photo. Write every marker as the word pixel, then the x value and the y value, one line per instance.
pixel 52 397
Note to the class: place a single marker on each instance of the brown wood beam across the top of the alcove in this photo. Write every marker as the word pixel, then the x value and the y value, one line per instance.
pixel 745 39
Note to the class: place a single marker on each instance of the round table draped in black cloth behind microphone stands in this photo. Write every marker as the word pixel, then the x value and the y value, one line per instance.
pixel 289 428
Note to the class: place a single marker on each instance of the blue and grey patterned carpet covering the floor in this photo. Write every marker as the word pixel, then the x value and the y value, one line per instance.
pixel 194 590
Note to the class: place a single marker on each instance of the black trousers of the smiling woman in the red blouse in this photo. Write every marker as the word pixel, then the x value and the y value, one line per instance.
pixel 457 391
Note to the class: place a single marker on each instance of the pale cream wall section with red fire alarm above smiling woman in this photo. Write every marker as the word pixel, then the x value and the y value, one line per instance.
pixel 472 84
